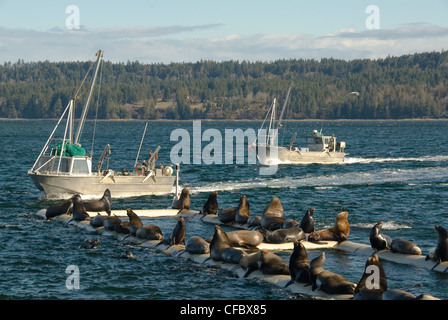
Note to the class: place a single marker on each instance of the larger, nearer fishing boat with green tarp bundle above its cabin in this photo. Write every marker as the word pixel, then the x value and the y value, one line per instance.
pixel 63 168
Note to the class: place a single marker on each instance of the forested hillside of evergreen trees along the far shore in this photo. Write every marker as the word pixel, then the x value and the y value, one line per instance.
pixel 410 86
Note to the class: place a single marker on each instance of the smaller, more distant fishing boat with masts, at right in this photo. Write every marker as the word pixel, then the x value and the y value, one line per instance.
pixel 319 148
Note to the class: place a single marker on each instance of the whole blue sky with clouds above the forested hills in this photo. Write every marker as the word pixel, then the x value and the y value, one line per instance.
pixel 188 31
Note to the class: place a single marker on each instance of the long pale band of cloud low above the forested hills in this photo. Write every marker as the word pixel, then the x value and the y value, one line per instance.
pixel 175 43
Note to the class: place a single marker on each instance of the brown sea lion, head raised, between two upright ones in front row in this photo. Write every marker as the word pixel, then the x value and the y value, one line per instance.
pixel 328 281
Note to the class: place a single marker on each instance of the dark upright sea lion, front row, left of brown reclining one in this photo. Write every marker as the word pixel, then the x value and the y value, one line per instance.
pixel 299 264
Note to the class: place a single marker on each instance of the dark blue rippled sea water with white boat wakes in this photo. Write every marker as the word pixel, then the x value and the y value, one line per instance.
pixel 396 171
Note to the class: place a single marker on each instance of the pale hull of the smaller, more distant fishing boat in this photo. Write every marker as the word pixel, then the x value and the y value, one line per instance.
pixel 282 155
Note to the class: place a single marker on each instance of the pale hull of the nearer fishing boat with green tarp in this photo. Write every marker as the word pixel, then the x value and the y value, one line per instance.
pixel 59 186
